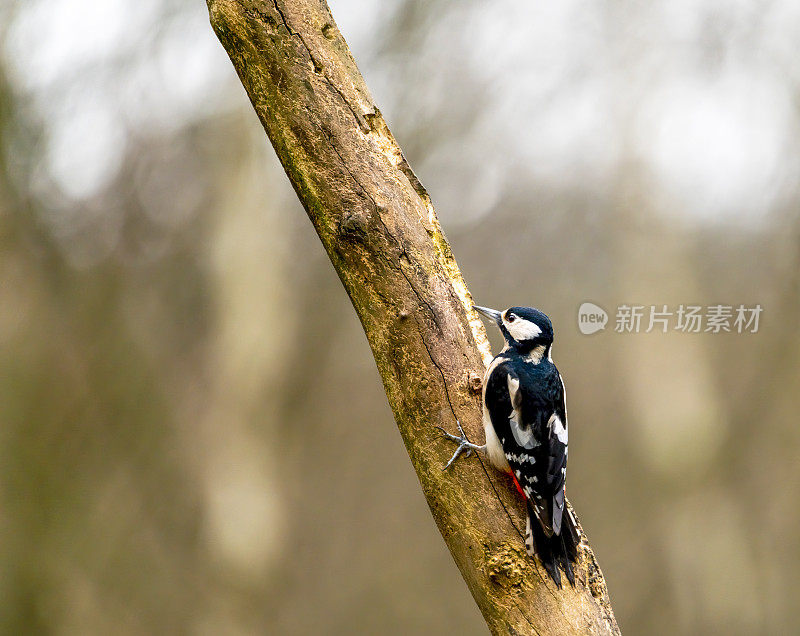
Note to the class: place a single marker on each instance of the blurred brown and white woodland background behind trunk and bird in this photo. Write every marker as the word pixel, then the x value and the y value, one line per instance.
pixel 164 304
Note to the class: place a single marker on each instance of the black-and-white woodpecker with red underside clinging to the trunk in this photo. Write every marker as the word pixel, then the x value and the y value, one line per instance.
pixel 525 422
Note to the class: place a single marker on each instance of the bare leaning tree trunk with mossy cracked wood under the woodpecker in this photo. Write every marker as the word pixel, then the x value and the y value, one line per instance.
pixel 383 237
